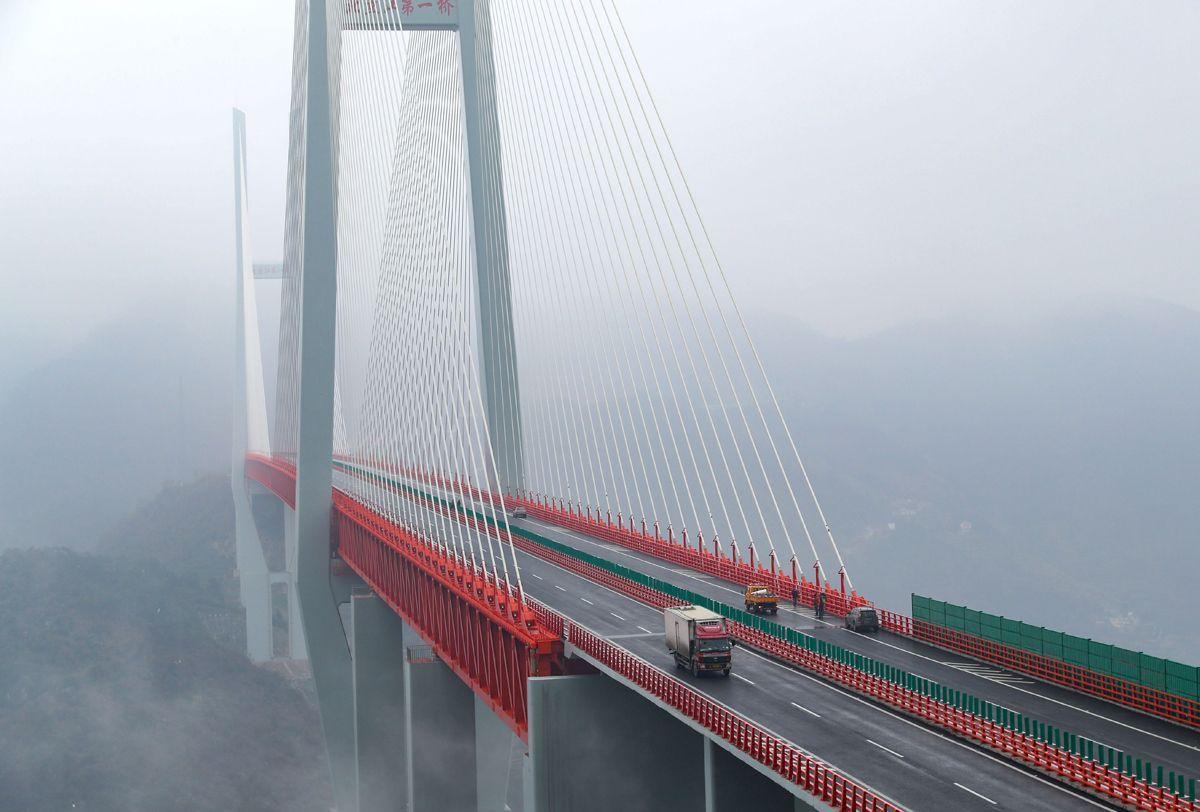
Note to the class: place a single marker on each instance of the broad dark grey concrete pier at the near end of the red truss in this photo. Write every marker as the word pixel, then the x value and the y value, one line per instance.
pixel 596 745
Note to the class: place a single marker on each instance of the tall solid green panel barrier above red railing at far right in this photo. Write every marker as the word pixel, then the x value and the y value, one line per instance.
pixel 1141 669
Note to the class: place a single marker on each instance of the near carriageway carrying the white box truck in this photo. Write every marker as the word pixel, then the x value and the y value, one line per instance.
pixel 915 767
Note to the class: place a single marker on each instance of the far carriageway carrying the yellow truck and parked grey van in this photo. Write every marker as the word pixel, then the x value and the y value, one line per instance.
pixel 1160 742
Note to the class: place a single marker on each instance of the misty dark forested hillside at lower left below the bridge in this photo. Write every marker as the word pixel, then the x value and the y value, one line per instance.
pixel 115 691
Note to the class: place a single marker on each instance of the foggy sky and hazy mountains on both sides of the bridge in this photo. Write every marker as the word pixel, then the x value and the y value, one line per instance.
pixel 968 234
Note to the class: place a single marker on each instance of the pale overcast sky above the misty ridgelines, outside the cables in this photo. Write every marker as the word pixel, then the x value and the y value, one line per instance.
pixel 860 165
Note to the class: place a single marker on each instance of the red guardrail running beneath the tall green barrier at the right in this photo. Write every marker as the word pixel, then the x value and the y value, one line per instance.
pixel 1131 695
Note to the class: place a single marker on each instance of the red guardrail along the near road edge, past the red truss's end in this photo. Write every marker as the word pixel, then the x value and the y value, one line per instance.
pixel 764 747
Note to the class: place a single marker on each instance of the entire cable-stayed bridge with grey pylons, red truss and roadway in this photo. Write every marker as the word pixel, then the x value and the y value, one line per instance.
pixel 518 413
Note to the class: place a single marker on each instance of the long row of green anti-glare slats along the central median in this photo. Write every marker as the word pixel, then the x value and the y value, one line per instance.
pixel 1009 719
